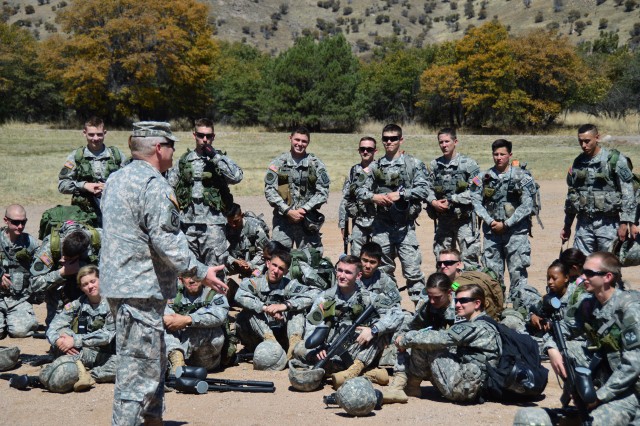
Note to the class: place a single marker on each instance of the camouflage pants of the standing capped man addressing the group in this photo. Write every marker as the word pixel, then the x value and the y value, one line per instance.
pixel 141 360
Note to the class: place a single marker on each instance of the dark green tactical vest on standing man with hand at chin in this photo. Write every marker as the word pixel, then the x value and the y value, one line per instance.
pixel 216 193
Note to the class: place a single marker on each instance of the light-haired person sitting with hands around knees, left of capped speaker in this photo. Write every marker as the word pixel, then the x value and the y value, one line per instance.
pixel 85 330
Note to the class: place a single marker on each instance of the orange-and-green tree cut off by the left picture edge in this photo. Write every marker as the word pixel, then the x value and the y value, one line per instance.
pixel 26 93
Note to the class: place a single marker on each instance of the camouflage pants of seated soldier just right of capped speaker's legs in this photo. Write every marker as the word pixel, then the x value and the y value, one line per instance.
pixel 201 347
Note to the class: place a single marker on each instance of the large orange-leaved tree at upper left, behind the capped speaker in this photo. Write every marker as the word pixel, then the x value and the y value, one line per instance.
pixel 126 59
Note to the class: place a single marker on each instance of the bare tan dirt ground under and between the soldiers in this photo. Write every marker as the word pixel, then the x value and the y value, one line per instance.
pixel 286 406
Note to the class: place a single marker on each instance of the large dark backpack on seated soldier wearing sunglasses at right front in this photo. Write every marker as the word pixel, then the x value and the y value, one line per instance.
pixel 519 374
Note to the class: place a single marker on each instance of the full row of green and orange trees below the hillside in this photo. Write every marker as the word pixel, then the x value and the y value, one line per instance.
pixel 127 60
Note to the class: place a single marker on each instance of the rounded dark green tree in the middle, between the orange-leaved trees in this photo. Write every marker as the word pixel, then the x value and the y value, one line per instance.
pixel 314 83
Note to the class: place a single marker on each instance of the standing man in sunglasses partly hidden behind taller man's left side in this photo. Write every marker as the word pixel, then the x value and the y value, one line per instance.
pixel 361 213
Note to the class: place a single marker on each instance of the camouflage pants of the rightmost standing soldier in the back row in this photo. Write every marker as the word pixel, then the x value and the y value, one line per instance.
pixel 595 234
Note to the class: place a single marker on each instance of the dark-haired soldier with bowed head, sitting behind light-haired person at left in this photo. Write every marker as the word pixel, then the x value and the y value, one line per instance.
pixel 57 261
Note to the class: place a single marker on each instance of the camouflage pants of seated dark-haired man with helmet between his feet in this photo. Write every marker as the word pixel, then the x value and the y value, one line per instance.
pixel 251 328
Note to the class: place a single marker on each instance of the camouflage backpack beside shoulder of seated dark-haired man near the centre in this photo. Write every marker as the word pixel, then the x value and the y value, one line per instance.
pixel 324 273
